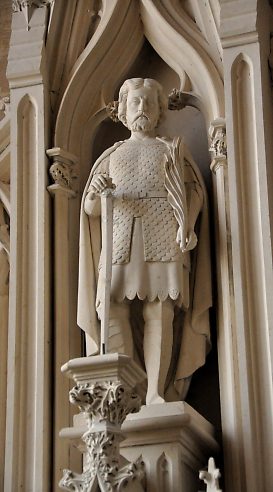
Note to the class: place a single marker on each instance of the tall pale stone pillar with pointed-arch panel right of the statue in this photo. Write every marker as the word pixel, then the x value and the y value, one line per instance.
pixel 248 407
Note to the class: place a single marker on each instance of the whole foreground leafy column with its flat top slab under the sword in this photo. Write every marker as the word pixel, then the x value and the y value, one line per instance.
pixel 104 395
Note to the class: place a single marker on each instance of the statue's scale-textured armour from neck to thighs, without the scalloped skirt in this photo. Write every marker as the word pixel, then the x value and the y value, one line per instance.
pixel 137 169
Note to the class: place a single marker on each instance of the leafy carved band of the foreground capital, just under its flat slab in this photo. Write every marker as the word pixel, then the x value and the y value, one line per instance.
pixel 105 401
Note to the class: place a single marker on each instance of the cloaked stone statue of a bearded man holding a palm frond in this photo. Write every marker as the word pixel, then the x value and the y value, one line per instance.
pixel 160 247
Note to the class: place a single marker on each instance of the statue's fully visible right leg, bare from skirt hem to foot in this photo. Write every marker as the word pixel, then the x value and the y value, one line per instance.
pixel 157 343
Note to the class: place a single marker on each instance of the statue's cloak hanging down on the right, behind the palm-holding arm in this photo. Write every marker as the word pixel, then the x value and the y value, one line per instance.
pixel 196 326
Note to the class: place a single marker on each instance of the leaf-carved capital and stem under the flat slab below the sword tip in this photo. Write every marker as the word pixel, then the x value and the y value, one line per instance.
pixel 104 404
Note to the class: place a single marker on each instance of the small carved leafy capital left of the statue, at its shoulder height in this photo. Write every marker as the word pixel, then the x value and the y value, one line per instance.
pixel 63 170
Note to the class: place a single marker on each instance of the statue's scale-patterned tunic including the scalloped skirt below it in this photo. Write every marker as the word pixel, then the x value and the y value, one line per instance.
pixel 147 261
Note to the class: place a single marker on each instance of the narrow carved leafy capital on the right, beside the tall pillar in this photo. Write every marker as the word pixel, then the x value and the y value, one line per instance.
pixel 218 144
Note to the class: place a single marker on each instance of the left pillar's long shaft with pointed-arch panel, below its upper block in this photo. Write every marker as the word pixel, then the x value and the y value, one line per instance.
pixel 28 423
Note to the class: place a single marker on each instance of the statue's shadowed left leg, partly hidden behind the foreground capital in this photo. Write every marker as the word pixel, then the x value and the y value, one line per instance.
pixel 120 333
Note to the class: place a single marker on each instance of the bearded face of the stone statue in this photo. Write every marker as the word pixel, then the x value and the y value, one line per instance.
pixel 142 111
